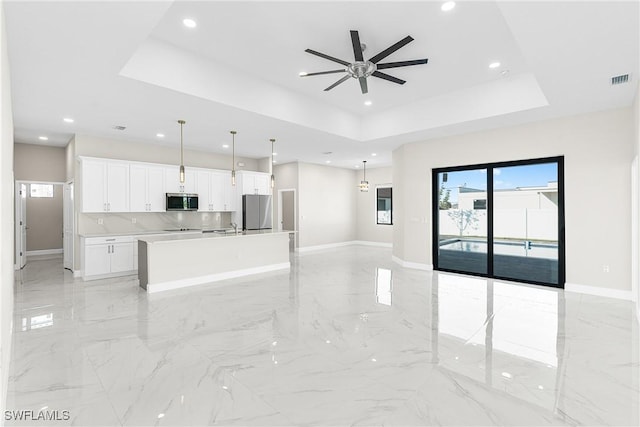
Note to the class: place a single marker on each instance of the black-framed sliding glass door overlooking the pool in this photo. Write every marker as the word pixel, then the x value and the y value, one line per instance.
pixel 502 220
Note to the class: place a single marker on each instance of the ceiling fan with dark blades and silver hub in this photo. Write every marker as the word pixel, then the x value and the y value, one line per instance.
pixel 361 69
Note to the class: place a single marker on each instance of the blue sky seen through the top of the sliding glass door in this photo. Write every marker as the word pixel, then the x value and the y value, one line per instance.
pixel 503 178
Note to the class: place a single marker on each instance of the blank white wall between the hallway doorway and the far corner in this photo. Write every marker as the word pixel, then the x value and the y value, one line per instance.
pixel 326 205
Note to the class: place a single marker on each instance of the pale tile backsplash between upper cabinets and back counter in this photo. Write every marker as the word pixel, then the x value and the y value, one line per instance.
pixel 103 223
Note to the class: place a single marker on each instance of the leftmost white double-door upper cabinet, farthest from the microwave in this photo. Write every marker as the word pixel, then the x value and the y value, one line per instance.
pixel 105 186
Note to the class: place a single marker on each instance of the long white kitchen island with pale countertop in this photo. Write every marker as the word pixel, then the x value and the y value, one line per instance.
pixel 178 261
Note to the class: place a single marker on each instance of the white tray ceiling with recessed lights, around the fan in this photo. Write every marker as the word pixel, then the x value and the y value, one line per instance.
pixel 135 64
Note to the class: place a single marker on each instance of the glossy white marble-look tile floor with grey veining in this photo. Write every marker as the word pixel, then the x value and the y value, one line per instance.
pixel 346 338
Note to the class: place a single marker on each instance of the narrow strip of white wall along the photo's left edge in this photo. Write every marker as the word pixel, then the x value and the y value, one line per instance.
pixel 6 214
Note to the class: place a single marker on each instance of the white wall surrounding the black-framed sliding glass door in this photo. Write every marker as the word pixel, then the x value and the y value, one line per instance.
pixel 598 149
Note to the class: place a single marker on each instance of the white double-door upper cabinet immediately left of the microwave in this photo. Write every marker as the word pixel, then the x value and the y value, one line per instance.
pixel 146 188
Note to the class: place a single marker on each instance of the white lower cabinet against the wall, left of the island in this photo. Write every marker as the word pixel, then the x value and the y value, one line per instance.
pixel 107 256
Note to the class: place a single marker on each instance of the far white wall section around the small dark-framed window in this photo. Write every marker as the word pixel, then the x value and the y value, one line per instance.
pixel 367 229
